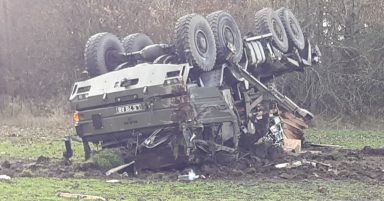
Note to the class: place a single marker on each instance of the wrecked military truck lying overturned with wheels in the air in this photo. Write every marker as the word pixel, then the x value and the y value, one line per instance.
pixel 210 91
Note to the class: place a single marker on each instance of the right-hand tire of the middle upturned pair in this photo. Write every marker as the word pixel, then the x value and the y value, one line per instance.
pixel 225 29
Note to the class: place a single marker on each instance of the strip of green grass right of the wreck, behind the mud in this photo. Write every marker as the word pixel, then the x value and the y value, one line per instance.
pixel 350 139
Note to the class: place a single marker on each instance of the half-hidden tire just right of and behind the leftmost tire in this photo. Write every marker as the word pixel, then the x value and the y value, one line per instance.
pixel 136 42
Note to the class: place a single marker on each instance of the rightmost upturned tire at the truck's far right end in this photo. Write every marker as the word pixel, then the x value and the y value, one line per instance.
pixel 292 28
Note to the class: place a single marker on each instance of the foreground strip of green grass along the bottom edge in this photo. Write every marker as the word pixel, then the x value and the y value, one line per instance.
pixel 47 189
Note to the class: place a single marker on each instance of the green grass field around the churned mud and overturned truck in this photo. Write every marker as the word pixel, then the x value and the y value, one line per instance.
pixel 26 147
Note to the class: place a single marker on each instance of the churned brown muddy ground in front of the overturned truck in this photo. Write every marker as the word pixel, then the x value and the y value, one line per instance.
pixel 366 165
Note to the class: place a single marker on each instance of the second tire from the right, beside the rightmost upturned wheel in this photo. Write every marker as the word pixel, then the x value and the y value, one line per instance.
pixel 267 21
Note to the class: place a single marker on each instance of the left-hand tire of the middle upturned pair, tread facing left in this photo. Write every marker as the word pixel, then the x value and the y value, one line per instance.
pixel 195 42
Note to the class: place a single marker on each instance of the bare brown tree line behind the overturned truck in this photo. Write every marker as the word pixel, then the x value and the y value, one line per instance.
pixel 42 42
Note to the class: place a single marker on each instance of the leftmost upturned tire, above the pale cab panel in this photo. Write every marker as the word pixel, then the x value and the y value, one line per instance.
pixel 97 53
